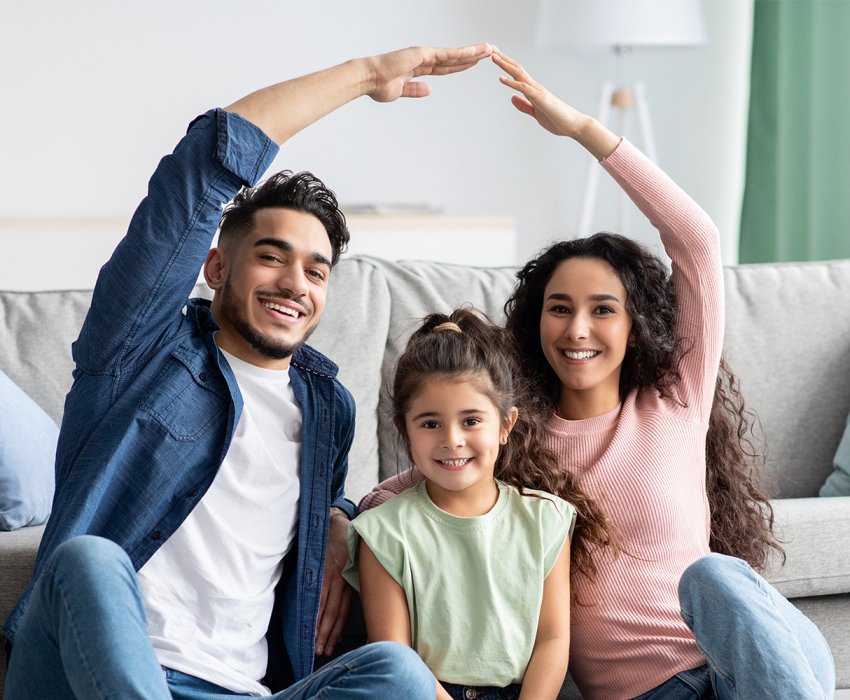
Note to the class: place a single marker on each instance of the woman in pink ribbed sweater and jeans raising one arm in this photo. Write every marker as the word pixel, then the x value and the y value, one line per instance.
pixel 627 358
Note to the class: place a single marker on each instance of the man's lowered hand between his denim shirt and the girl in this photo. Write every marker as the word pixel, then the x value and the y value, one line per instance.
pixel 336 593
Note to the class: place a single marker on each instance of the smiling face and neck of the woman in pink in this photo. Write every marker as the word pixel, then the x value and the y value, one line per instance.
pixel 585 331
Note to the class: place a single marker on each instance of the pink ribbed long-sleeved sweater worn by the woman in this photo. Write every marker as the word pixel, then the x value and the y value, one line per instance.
pixel 645 463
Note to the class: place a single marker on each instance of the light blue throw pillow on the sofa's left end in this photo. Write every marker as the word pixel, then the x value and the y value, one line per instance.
pixel 27 453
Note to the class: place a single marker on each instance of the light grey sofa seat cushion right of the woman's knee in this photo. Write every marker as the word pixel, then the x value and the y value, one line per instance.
pixel 813 532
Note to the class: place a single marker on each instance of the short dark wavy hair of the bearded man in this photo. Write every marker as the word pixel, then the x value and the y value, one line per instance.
pixel 302 192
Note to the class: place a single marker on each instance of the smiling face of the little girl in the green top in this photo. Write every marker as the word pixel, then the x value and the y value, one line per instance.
pixel 454 432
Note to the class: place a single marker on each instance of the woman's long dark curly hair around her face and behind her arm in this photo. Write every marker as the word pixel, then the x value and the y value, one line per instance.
pixel 741 514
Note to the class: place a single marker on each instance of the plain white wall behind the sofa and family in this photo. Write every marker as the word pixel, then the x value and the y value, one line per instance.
pixel 93 92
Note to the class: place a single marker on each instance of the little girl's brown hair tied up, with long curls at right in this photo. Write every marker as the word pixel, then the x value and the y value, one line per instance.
pixel 486 354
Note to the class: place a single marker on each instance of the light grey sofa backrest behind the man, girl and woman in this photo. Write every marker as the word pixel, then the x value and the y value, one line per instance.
pixel 787 338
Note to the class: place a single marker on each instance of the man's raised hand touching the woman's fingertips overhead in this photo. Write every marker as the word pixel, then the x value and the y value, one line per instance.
pixel 392 74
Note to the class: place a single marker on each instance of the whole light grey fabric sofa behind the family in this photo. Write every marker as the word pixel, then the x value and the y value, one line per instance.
pixel 788 338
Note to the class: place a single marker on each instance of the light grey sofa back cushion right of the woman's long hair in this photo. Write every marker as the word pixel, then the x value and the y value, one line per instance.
pixel 788 340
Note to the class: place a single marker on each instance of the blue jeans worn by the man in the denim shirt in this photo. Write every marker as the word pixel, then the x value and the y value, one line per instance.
pixel 84 635
